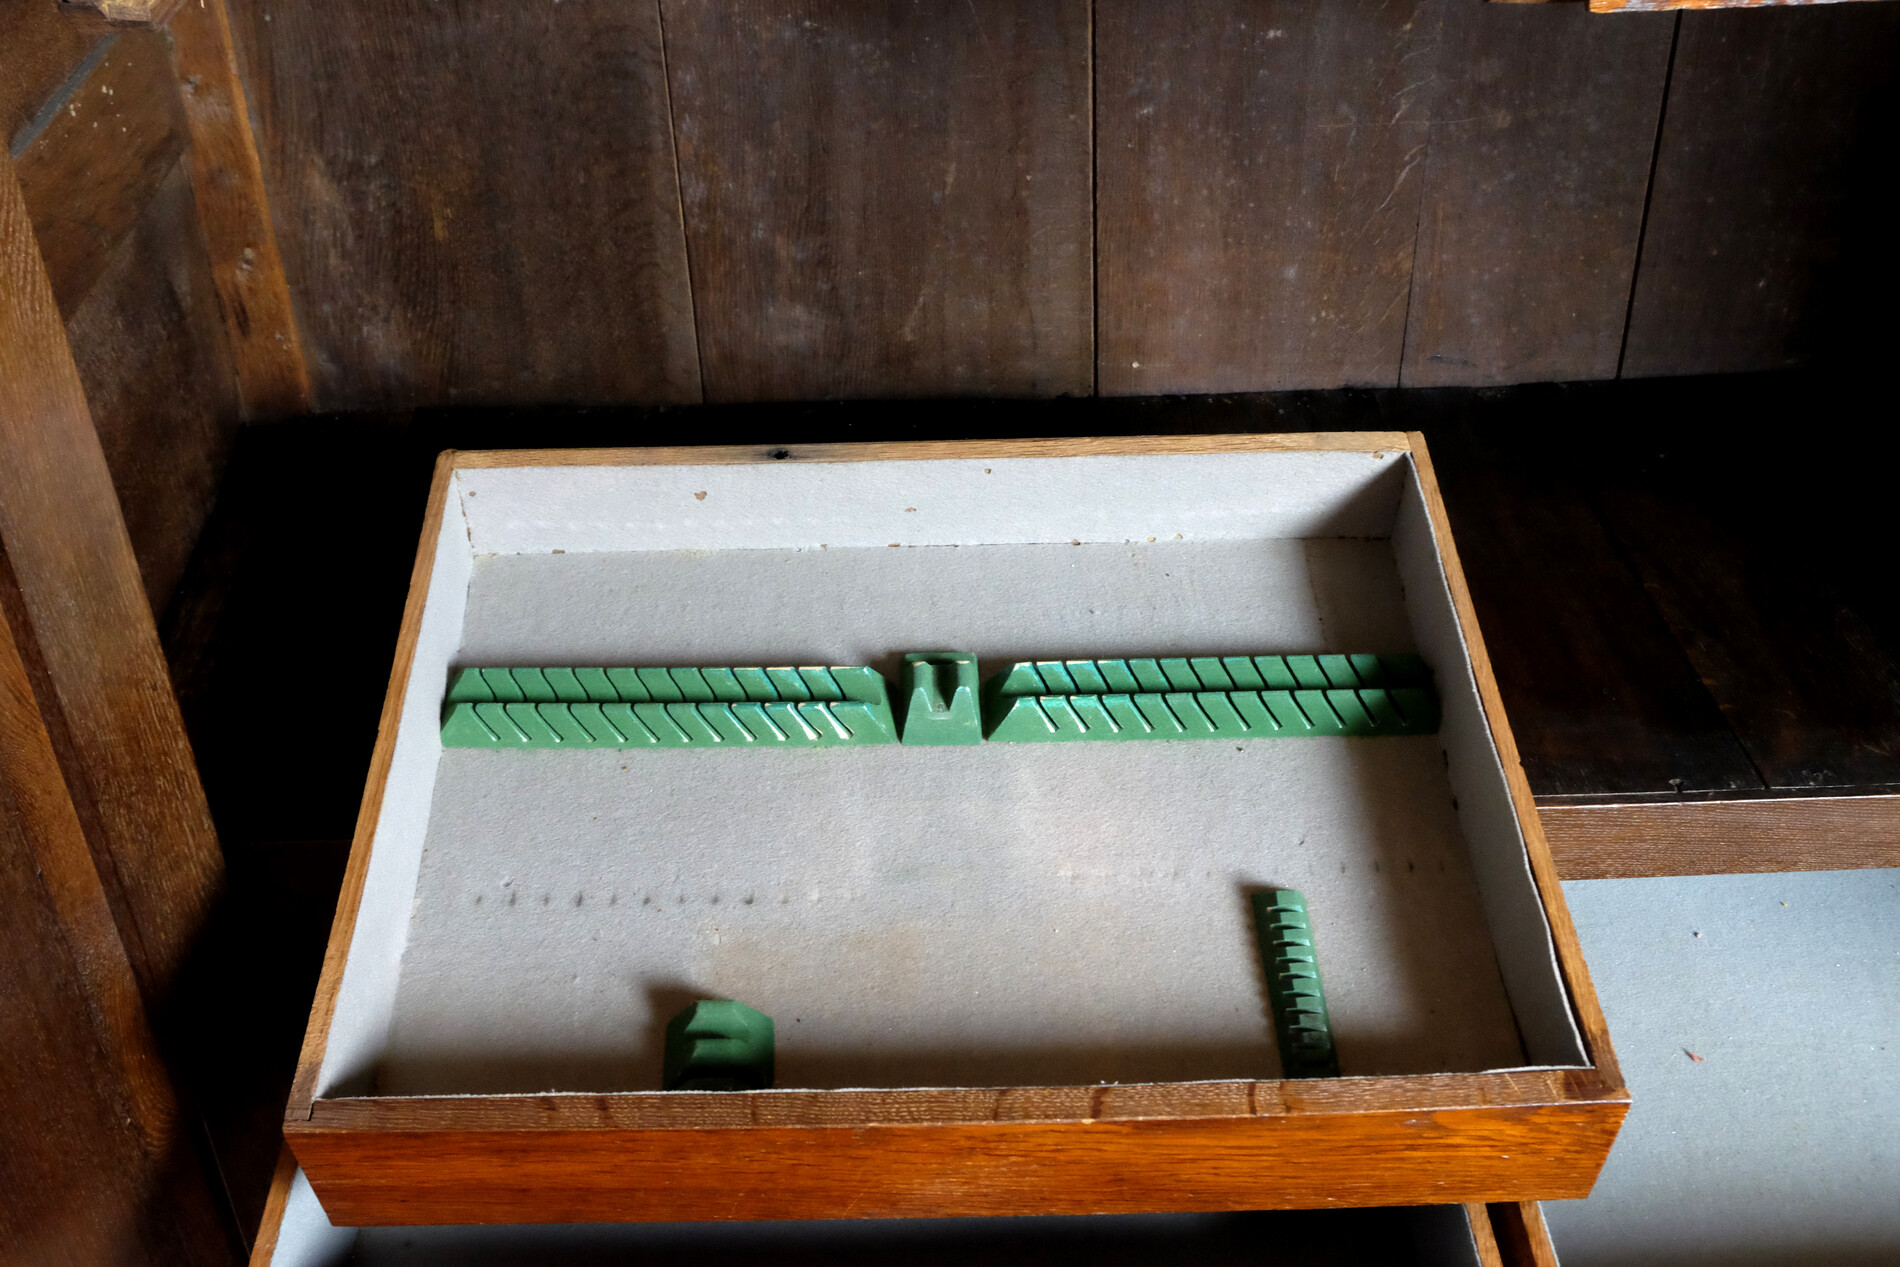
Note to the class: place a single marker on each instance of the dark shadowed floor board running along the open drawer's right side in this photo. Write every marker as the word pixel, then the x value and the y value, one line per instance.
pixel 1601 694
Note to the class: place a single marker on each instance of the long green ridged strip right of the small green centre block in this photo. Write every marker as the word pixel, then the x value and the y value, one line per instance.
pixel 1211 698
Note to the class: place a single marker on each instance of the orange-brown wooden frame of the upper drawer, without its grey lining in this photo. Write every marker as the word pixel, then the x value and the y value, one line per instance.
pixel 1033 1150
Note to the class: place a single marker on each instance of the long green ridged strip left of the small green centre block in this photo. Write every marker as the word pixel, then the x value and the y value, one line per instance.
pixel 668 708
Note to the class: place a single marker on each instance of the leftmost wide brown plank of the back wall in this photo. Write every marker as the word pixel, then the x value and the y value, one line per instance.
pixel 476 204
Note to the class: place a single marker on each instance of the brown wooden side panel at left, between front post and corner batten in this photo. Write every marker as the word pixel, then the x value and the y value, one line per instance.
pixel 100 140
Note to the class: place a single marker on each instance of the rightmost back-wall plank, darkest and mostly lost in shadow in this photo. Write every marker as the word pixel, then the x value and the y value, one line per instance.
pixel 1768 236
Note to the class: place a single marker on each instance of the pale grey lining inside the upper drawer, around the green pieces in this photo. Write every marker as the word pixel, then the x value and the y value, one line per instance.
pixel 497 1015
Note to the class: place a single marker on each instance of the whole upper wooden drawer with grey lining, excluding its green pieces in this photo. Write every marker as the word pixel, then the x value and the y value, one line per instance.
pixel 1008 979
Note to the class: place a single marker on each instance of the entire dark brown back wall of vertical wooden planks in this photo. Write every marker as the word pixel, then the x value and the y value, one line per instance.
pixel 693 200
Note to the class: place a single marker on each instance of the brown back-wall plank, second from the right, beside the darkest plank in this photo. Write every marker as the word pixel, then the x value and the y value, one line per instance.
pixel 1544 128
